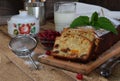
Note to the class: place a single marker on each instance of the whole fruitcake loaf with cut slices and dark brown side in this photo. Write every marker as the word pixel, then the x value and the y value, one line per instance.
pixel 83 44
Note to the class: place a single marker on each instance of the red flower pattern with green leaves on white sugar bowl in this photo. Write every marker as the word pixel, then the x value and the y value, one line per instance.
pixel 28 28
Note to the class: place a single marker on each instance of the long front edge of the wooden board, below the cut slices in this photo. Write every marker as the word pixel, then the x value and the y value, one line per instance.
pixel 64 64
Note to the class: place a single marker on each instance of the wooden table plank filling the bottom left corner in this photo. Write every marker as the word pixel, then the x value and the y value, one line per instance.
pixel 9 71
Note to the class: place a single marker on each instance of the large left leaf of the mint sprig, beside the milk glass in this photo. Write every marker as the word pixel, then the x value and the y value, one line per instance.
pixel 80 21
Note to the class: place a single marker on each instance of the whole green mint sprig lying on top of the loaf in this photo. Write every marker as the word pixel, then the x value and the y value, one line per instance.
pixel 95 21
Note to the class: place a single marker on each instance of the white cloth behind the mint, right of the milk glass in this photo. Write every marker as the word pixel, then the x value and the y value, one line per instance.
pixel 83 9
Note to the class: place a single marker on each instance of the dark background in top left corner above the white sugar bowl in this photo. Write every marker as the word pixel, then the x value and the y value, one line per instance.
pixel 10 7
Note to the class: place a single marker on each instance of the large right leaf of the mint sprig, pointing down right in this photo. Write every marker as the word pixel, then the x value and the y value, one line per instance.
pixel 106 24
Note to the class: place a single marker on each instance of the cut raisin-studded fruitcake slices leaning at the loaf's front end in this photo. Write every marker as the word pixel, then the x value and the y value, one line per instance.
pixel 74 44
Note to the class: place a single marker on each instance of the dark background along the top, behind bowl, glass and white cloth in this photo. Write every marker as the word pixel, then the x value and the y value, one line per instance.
pixel 11 7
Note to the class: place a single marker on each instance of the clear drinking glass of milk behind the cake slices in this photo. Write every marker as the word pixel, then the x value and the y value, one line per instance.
pixel 64 14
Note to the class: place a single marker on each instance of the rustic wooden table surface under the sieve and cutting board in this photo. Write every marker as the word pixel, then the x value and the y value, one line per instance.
pixel 13 68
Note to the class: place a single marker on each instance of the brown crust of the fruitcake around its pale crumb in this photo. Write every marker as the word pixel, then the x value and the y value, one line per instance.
pixel 98 45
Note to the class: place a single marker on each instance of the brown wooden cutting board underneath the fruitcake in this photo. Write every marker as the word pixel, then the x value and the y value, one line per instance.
pixel 83 68
